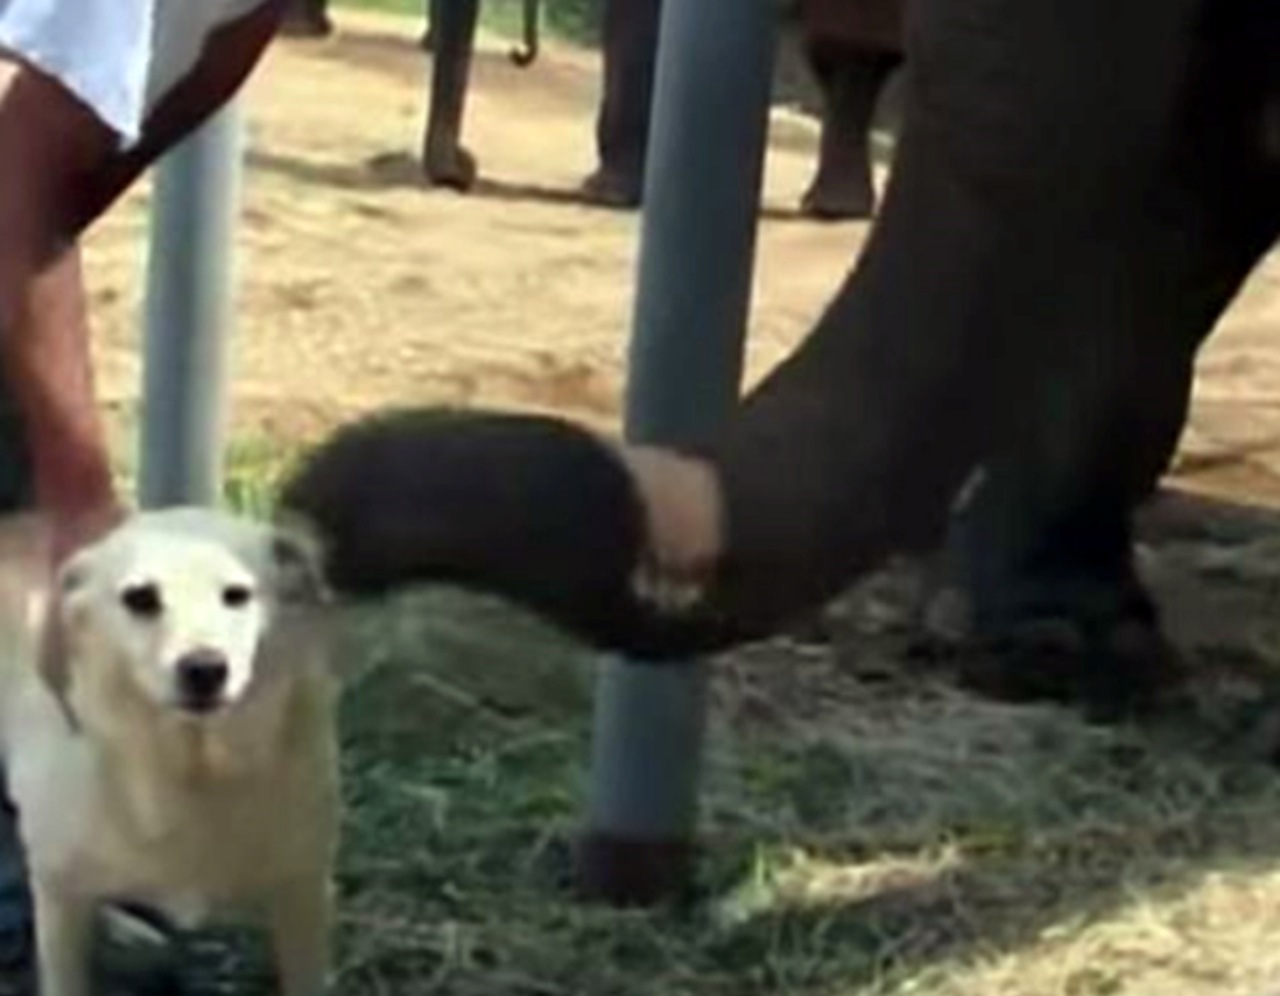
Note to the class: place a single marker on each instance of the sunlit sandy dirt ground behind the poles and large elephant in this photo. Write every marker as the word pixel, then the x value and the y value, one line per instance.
pixel 363 289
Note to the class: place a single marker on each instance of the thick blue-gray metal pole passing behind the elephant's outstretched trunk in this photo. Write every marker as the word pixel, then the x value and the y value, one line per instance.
pixel 702 199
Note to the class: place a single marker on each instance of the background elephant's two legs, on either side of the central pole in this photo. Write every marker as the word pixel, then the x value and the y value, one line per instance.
pixel 852 47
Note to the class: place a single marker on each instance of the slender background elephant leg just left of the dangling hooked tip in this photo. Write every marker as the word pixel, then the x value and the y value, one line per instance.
pixel 454 29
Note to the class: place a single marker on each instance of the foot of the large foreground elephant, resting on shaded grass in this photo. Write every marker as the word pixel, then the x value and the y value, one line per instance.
pixel 1113 666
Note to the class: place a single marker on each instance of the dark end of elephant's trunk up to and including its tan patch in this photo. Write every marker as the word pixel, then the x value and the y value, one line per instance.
pixel 584 533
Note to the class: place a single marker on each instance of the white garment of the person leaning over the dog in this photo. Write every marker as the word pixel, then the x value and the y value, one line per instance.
pixel 118 57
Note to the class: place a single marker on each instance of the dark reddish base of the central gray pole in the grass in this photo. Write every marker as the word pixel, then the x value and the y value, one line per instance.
pixel 633 872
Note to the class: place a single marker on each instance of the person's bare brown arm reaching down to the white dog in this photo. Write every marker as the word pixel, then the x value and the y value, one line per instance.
pixel 60 171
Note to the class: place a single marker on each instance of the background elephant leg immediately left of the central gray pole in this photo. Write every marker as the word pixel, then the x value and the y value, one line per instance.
pixel 629 51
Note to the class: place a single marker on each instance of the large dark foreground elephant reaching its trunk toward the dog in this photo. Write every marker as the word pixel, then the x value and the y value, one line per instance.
pixel 1080 191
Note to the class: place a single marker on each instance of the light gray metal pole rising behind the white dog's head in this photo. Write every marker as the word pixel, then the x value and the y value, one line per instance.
pixel 189 314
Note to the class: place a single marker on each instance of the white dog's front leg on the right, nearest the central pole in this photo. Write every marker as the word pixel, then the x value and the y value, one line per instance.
pixel 300 917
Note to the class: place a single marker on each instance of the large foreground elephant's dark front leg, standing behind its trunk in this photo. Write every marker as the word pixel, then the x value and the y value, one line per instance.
pixel 1044 549
